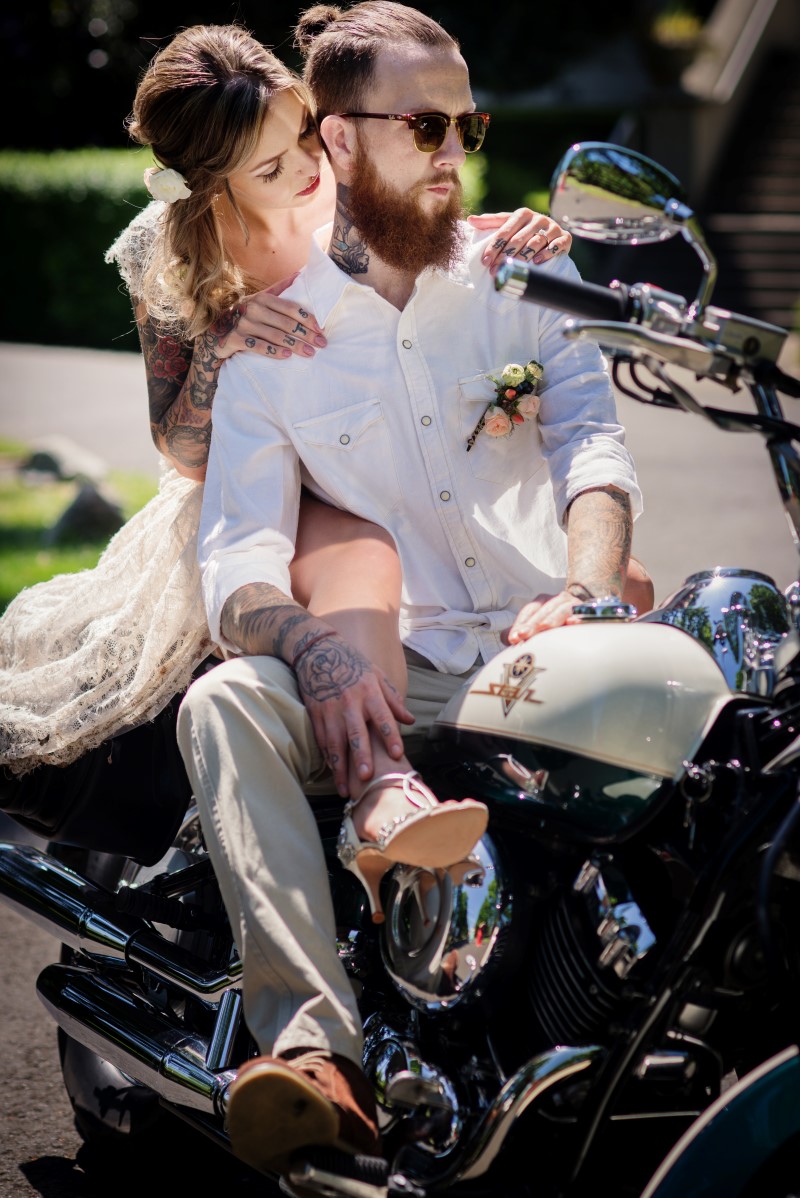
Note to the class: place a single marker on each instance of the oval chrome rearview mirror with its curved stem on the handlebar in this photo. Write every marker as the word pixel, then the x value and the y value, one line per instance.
pixel 609 193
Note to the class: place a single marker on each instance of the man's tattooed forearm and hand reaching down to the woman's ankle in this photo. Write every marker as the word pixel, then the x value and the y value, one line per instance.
pixel 344 694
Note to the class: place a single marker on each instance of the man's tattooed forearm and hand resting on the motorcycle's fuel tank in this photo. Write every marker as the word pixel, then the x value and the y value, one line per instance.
pixel 599 544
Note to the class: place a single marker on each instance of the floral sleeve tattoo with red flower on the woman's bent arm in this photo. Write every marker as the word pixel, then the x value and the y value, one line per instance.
pixel 181 385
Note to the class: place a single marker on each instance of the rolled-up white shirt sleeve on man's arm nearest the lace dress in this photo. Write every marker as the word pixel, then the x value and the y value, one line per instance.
pixel 249 523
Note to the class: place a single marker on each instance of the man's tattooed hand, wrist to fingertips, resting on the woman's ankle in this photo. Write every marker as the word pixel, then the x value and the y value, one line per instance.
pixel 347 697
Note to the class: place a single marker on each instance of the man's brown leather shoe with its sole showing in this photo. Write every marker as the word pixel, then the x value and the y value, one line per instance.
pixel 277 1106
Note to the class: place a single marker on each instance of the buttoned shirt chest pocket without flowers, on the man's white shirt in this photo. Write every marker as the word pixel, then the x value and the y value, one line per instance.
pixel 350 455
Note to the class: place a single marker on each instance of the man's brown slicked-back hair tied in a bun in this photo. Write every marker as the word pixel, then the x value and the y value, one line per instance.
pixel 340 47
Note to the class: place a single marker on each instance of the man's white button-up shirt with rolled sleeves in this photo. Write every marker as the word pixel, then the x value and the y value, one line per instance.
pixel 378 423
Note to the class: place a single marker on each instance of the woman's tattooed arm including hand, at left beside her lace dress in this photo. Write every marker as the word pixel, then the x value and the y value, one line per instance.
pixel 183 377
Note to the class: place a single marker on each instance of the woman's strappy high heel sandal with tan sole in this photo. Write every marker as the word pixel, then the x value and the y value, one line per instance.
pixel 434 837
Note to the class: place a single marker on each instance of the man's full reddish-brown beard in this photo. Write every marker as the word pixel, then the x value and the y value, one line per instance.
pixel 397 228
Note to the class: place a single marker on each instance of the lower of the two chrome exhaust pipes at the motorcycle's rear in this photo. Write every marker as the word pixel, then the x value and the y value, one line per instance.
pixel 134 1037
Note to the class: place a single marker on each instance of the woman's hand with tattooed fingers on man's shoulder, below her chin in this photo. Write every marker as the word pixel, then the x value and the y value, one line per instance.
pixel 268 325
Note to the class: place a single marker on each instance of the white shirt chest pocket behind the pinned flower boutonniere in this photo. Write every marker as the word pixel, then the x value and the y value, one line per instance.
pixel 507 461
